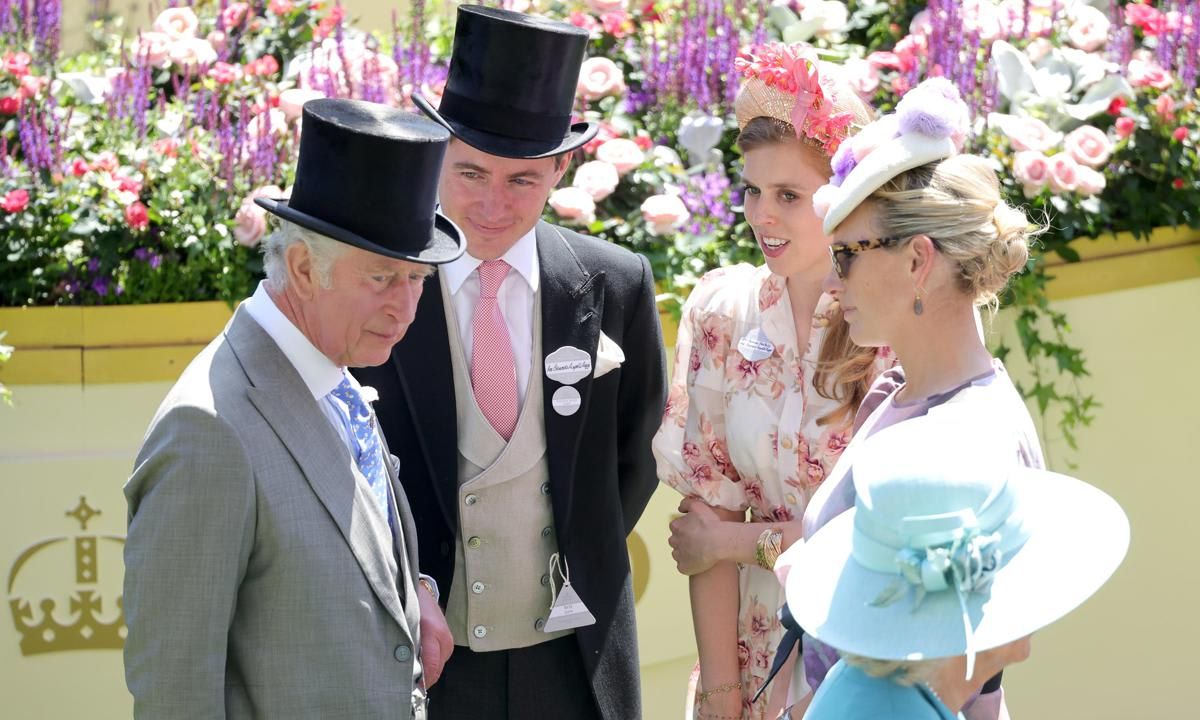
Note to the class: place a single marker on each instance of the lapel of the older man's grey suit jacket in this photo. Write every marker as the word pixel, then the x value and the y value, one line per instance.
pixel 286 404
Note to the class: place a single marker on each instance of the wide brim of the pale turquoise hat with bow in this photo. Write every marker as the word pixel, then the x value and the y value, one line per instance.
pixel 1078 538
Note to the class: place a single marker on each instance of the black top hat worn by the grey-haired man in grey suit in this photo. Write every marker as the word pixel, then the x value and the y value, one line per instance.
pixel 368 176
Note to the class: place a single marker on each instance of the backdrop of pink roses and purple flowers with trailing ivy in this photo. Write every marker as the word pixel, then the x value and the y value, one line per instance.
pixel 128 172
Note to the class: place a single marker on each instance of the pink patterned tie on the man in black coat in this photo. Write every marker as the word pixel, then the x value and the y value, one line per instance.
pixel 494 375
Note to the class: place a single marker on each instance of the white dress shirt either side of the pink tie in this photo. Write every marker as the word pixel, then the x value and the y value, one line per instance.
pixel 515 298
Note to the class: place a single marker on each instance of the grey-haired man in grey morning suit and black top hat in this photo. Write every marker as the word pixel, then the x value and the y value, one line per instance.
pixel 272 560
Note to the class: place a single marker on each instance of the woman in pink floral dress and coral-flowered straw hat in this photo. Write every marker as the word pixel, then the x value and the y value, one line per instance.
pixel 766 382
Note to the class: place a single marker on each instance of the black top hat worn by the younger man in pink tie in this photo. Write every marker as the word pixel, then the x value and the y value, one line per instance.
pixel 512 85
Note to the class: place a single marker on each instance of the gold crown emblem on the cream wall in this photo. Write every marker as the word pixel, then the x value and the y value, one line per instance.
pixel 85 628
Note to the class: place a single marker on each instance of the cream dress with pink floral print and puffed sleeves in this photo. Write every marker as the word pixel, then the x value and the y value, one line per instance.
pixel 743 435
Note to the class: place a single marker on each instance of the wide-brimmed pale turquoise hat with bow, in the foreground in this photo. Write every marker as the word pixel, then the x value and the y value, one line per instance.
pixel 951 549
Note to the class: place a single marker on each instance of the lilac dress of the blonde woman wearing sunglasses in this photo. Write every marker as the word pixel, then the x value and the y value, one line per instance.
pixel 989 401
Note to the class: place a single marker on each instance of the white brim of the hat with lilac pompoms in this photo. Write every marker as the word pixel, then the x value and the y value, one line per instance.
pixel 887 161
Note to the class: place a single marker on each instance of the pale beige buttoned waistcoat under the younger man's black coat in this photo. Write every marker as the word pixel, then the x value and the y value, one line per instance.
pixel 500 597
